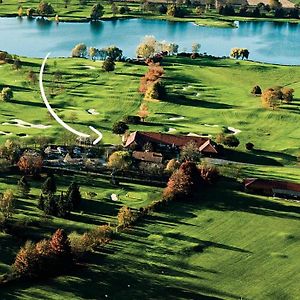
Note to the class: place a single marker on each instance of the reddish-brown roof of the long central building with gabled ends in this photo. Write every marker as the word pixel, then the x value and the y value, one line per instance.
pixel 142 137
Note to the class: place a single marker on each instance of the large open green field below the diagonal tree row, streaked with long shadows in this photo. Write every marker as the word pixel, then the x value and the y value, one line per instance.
pixel 230 245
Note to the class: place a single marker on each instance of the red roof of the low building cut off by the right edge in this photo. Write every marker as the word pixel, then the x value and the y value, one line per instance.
pixel 258 183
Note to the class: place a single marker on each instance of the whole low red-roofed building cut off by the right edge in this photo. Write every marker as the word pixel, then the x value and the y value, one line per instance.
pixel 275 188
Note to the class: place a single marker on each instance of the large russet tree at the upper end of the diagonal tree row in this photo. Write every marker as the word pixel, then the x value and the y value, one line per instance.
pixel 183 183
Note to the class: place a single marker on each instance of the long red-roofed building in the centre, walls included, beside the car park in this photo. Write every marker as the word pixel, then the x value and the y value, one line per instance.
pixel 163 141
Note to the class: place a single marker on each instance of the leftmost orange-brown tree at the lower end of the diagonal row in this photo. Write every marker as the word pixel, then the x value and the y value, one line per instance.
pixel 26 261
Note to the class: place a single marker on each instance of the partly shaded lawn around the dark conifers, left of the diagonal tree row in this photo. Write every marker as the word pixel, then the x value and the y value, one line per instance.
pixel 94 211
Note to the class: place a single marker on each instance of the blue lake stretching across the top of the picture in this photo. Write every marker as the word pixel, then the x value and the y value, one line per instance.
pixel 272 42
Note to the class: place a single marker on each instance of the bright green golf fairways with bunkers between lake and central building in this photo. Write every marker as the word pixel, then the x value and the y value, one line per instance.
pixel 204 95
